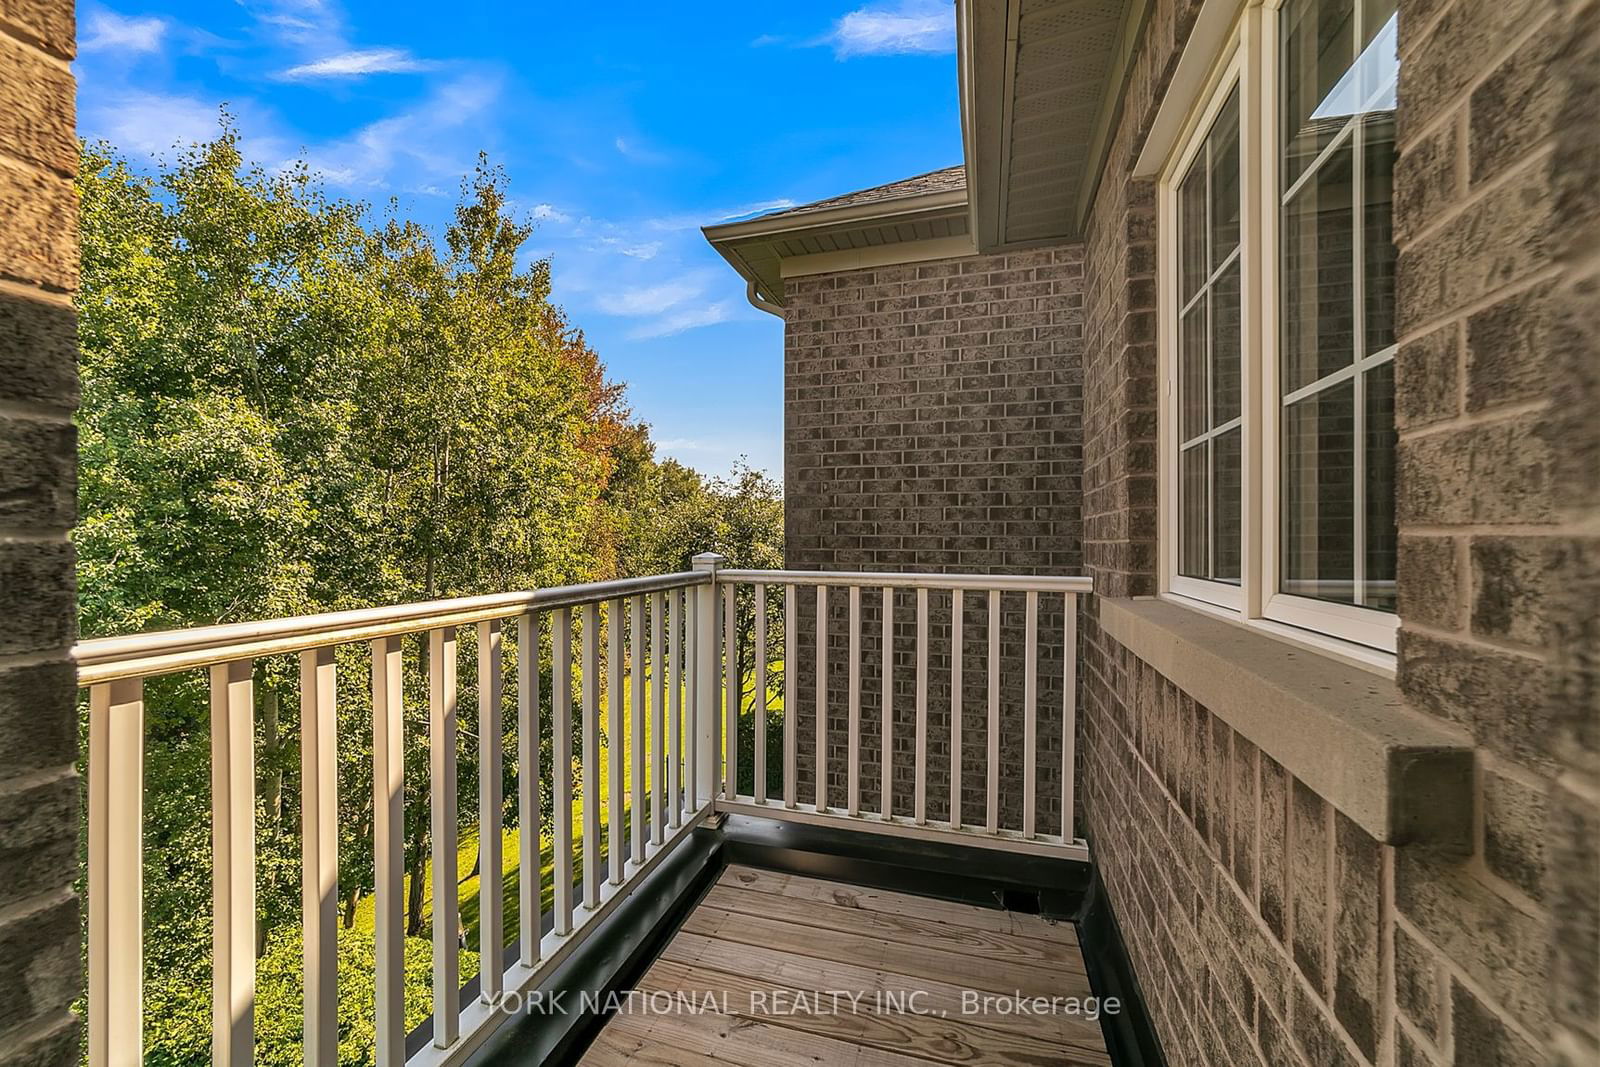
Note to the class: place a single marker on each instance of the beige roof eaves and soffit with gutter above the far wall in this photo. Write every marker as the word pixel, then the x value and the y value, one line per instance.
pixel 1041 86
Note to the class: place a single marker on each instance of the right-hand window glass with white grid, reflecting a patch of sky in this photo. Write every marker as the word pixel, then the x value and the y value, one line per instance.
pixel 1337 281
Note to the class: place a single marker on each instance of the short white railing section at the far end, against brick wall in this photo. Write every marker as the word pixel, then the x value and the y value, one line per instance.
pixel 993 594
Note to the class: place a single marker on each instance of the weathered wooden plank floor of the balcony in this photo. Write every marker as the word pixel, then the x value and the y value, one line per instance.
pixel 764 956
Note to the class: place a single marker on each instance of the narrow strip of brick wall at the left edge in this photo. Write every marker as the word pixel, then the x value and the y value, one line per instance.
pixel 39 789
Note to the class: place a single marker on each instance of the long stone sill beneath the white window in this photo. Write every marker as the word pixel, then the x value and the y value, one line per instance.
pixel 1342 730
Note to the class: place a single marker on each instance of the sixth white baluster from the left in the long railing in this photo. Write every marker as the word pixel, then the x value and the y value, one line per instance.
pixel 492 889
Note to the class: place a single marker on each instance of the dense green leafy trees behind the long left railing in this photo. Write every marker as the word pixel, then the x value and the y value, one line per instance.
pixel 290 407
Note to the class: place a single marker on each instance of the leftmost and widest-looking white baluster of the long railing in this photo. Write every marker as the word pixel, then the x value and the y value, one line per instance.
pixel 116 996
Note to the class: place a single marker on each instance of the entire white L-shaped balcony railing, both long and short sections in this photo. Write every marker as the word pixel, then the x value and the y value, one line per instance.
pixel 679 772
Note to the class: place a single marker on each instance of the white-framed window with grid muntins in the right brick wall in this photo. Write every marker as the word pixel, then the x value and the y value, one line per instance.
pixel 1278 326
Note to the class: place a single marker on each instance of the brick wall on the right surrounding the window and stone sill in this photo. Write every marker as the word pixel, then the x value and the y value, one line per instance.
pixel 1265 927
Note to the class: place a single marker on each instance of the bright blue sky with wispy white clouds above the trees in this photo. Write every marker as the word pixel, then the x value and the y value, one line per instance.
pixel 623 127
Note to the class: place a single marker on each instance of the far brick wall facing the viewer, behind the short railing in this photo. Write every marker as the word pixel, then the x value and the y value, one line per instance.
pixel 932 418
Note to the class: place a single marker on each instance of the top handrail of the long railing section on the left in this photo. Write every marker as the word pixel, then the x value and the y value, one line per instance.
pixel 166 652
